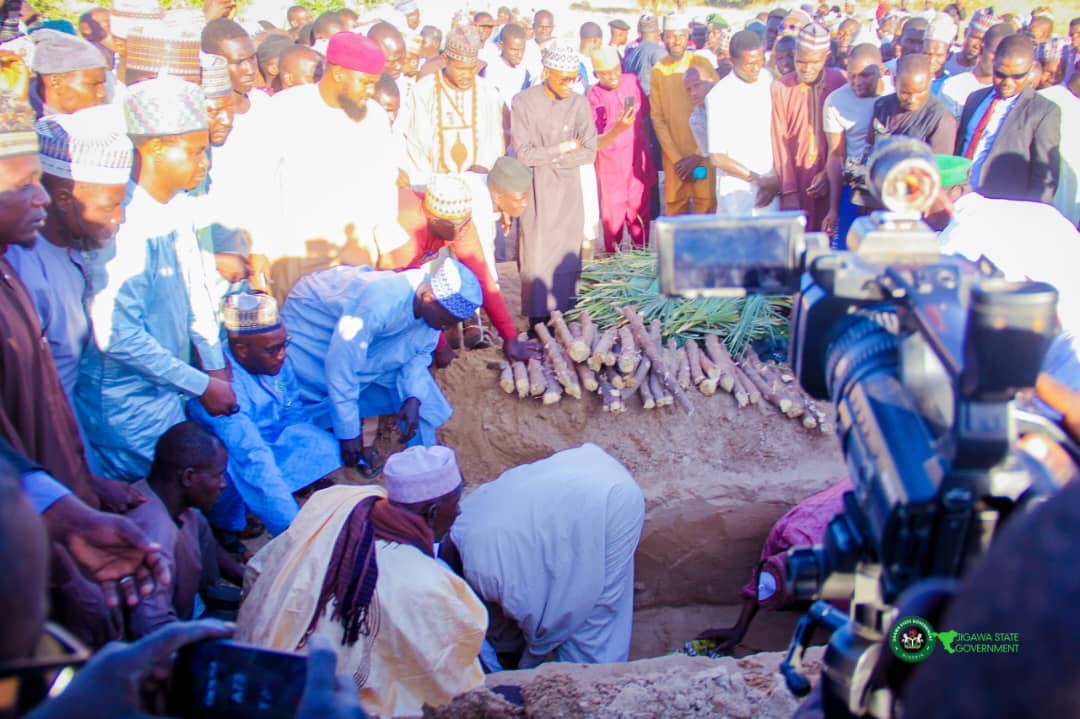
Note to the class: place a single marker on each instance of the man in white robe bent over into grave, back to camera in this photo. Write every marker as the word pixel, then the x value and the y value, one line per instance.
pixel 550 548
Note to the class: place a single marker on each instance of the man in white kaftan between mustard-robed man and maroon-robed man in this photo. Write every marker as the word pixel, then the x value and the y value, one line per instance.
pixel 740 141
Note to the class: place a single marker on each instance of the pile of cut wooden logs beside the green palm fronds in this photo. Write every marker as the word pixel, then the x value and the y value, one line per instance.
pixel 631 360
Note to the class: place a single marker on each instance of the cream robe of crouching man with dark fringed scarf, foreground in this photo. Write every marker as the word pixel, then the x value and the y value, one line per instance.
pixel 430 623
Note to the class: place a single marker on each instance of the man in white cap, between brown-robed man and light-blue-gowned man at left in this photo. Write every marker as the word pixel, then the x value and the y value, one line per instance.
pixel 87 162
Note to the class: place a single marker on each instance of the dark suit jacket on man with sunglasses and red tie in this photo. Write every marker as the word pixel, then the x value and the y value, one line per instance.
pixel 1024 162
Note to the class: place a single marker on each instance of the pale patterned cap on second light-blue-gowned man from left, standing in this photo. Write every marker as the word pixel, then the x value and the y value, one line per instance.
pixel 165 106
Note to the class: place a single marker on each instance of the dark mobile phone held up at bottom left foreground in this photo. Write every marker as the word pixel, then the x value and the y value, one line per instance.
pixel 225 680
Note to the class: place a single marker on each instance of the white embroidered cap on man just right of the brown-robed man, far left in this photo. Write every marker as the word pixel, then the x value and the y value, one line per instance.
pixel 89 146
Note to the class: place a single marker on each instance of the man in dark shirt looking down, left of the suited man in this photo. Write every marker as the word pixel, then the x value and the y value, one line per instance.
pixel 913 112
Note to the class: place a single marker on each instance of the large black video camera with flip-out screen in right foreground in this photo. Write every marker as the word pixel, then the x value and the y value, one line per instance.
pixel 922 356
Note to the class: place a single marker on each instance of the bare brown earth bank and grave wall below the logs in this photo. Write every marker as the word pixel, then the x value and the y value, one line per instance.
pixel 714 483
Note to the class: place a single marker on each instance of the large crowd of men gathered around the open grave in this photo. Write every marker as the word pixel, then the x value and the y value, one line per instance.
pixel 226 252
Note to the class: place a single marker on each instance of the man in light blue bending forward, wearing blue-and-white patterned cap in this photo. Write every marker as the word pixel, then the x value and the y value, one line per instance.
pixel 362 345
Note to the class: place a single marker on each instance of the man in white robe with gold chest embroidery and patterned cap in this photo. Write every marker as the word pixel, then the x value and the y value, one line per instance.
pixel 457 118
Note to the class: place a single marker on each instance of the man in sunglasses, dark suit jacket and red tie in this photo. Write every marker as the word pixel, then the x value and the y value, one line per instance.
pixel 1010 132
